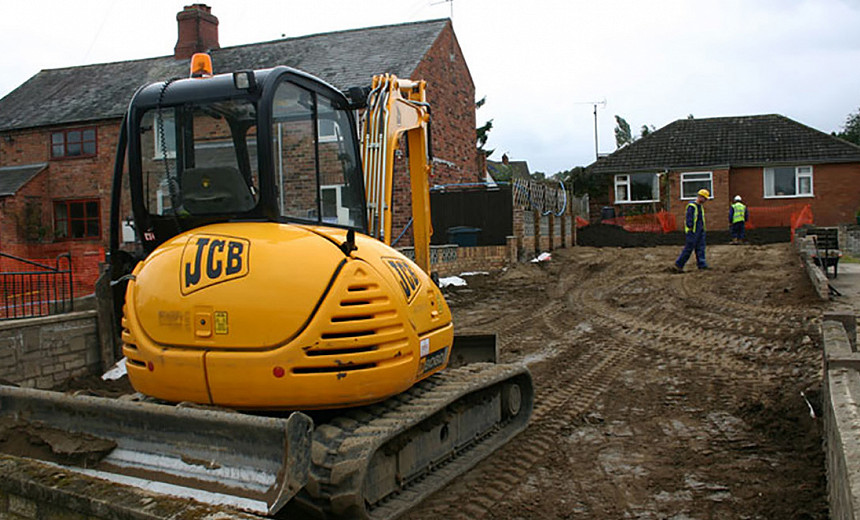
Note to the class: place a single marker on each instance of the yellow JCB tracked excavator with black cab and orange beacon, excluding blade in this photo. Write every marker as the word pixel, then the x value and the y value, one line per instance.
pixel 261 280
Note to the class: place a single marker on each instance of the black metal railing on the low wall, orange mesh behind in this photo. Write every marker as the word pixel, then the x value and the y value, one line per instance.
pixel 38 291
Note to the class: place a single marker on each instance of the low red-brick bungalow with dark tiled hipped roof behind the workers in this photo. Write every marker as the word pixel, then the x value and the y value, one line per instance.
pixel 771 161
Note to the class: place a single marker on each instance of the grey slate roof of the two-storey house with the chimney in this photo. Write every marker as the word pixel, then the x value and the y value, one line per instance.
pixel 94 92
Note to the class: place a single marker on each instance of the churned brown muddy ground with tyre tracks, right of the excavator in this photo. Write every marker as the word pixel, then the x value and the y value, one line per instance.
pixel 659 395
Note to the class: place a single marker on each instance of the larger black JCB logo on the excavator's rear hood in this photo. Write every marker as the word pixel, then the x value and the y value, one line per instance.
pixel 211 259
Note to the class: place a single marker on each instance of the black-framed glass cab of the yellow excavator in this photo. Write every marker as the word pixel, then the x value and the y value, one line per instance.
pixel 273 145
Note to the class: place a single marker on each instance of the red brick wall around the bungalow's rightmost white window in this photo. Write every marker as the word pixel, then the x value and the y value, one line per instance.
pixel 836 189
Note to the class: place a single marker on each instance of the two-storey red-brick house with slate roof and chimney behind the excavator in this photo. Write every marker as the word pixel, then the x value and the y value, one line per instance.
pixel 58 131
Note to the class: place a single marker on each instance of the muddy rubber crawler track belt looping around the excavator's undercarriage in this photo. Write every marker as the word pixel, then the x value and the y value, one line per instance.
pixel 343 447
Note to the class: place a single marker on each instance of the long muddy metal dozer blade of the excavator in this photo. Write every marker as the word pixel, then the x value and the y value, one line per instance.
pixel 251 462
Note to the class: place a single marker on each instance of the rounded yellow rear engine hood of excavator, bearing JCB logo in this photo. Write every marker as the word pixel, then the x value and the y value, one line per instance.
pixel 235 285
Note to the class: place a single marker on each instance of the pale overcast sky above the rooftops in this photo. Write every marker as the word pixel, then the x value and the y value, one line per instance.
pixel 540 63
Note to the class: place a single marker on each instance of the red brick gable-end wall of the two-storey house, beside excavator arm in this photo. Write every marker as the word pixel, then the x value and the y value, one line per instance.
pixel 451 94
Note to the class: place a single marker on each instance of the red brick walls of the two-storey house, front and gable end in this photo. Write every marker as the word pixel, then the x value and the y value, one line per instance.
pixel 450 90
